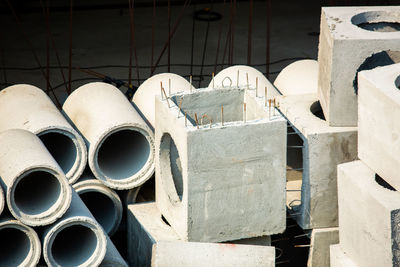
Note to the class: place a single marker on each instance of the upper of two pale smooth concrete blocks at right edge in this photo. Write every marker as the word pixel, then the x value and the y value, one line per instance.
pixel 379 129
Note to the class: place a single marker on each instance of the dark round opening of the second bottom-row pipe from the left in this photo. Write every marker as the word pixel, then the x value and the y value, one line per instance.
pixel 73 245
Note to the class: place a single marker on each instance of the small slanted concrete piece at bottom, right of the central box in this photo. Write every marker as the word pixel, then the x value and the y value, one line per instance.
pixel 321 240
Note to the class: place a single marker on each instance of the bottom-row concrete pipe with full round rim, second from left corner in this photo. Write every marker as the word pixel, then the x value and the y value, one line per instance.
pixel 76 239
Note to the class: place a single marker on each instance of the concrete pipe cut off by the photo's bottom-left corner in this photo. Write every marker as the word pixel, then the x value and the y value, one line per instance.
pixel 19 244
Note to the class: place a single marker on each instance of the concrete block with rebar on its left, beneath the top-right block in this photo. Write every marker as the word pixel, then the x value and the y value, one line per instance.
pixel 324 148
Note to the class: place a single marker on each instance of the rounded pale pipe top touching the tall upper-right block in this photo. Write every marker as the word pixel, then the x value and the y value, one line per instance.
pixel 300 77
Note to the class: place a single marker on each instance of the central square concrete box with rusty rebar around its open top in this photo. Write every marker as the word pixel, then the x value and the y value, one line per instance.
pixel 218 181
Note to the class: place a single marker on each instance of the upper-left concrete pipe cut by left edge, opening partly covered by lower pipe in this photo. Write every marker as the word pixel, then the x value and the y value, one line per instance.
pixel 28 107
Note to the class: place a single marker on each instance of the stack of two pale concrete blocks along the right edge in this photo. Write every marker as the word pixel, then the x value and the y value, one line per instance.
pixel 369 200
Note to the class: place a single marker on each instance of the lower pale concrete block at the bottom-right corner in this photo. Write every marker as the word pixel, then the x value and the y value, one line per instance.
pixel 369 216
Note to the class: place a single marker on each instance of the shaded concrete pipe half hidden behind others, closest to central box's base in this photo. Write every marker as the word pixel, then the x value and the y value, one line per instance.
pixel 103 202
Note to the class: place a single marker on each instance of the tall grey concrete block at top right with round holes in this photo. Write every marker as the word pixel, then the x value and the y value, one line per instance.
pixel 345 43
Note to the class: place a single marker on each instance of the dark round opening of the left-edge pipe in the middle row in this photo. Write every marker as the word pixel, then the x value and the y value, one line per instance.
pixel 36 192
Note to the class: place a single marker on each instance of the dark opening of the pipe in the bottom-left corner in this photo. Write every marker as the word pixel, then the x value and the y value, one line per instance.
pixel 14 246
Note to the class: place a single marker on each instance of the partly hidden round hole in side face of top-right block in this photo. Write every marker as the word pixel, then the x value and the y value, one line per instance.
pixel 379 59
